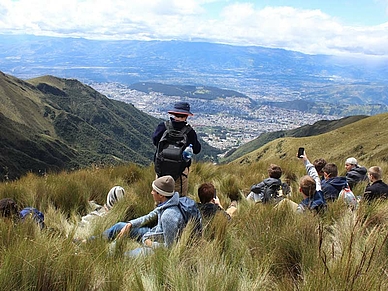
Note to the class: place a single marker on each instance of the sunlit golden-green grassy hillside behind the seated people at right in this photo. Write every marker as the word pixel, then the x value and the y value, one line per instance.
pixel 365 139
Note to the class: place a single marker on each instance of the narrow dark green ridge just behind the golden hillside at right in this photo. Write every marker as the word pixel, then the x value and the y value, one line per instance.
pixel 318 127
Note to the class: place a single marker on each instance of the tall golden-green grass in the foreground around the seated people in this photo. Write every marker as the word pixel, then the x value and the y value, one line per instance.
pixel 261 248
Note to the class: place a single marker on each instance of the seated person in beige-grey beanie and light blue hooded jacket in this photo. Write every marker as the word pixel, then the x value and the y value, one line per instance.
pixel 170 220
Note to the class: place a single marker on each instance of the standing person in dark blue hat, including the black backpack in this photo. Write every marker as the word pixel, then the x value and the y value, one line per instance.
pixel 171 138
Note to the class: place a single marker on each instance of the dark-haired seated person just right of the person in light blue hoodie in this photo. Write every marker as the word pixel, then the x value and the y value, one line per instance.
pixel 209 204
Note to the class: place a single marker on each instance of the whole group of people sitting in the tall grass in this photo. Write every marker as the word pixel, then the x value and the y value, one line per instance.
pixel 320 185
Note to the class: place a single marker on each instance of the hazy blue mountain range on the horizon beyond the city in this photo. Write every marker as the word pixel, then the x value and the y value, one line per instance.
pixel 342 85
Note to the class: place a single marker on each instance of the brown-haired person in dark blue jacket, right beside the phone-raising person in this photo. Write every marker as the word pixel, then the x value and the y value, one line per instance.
pixel 332 184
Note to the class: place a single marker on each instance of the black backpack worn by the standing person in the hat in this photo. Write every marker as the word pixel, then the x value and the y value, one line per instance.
pixel 168 156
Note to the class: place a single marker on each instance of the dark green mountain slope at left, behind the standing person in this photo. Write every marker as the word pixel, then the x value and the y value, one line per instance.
pixel 51 124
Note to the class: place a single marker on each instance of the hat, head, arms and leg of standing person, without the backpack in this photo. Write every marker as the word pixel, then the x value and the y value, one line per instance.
pixel 180 113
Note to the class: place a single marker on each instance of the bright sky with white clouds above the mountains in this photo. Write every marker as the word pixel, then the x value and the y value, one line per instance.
pixel 339 27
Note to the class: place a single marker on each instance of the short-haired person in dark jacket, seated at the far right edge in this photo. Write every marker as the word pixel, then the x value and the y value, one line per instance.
pixel 376 188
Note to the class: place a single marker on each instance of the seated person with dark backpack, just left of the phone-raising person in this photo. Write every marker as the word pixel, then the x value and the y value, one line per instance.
pixel 270 189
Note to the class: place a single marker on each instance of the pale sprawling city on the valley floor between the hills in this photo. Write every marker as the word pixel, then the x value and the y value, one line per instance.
pixel 224 123
